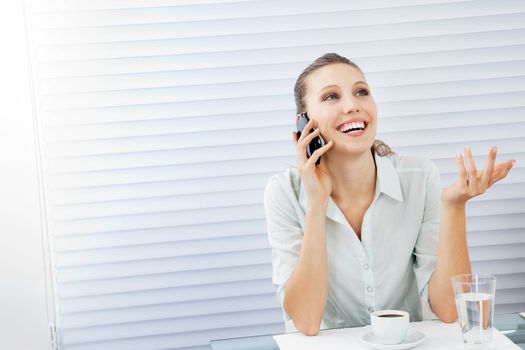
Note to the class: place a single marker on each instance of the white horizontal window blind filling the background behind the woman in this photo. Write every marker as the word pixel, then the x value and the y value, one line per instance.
pixel 161 121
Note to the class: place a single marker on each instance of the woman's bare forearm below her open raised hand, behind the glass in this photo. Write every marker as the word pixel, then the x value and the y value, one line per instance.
pixel 452 259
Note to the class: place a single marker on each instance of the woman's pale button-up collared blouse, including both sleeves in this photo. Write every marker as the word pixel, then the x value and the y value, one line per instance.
pixel 390 267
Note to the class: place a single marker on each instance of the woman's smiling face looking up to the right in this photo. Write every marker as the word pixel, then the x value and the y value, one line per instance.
pixel 340 101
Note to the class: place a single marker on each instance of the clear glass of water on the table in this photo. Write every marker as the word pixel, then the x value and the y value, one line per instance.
pixel 475 305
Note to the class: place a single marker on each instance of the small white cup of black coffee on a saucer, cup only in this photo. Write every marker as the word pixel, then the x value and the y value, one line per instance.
pixel 390 326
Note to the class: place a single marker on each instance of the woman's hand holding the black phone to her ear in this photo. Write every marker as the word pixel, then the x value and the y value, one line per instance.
pixel 315 179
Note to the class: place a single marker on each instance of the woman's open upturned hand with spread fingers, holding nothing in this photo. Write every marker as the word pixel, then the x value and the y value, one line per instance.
pixel 471 182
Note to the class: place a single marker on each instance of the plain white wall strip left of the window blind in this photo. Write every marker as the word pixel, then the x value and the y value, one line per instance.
pixel 23 320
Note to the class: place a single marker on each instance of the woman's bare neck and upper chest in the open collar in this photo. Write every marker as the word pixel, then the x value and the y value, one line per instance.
pixel 353 178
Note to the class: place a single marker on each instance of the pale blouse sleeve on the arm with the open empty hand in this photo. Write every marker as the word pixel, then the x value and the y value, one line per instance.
pixel 426 247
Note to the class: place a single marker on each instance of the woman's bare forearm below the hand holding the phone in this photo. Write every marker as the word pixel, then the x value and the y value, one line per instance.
pixel 307 288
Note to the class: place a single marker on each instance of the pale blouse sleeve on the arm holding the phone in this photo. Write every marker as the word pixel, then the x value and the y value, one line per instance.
pixel 284 232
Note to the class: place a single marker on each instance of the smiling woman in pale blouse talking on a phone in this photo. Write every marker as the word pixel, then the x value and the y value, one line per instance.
pixel 365 229
